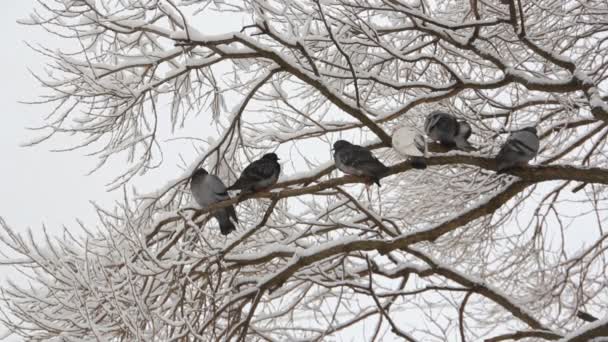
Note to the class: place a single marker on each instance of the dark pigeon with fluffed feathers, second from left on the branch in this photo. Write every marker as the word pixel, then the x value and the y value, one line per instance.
pixel 259 175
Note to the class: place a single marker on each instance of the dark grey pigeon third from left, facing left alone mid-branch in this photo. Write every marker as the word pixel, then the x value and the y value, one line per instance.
pixel 358 160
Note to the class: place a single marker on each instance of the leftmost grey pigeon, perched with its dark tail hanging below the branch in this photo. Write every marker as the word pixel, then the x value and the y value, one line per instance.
pixel 208 189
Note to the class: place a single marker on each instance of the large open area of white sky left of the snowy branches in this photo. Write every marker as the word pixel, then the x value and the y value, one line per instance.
pixel 38 186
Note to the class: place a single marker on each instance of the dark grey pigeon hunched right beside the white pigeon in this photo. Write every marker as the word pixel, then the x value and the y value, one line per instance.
pixel 449 131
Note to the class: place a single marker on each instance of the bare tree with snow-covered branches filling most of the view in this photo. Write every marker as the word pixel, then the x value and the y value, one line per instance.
pixel 452 252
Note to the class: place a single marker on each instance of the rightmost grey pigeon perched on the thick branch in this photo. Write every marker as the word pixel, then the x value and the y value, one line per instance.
pixel 521 147
